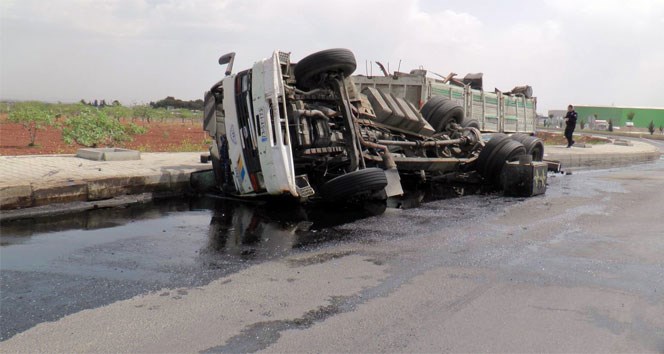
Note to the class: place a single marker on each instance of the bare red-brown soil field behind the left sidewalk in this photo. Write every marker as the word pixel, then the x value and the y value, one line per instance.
pixel 172 136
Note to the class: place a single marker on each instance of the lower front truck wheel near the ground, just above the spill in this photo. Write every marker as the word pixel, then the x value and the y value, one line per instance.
pixel 348 185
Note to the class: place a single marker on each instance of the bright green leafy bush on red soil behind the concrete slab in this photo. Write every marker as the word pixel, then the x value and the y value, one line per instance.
pixel 93 128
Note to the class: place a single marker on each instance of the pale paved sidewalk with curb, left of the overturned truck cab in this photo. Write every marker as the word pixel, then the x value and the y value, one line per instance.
pixel 33 181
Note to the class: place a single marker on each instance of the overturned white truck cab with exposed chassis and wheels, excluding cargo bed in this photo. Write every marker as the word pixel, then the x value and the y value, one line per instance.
pixel 306 131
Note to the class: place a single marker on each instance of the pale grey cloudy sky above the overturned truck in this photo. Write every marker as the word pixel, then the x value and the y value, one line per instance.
pixel 600 52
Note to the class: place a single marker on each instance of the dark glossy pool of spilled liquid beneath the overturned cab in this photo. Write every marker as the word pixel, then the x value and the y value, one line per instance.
pixel 53 267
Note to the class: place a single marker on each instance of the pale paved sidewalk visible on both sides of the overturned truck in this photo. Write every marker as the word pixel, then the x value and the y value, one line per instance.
pixel 35 181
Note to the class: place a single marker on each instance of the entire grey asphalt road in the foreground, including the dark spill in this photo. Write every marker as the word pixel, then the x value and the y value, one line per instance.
pixel 580 269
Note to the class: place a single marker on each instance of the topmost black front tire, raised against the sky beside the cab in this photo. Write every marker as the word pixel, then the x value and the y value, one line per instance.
pixel 308 70
